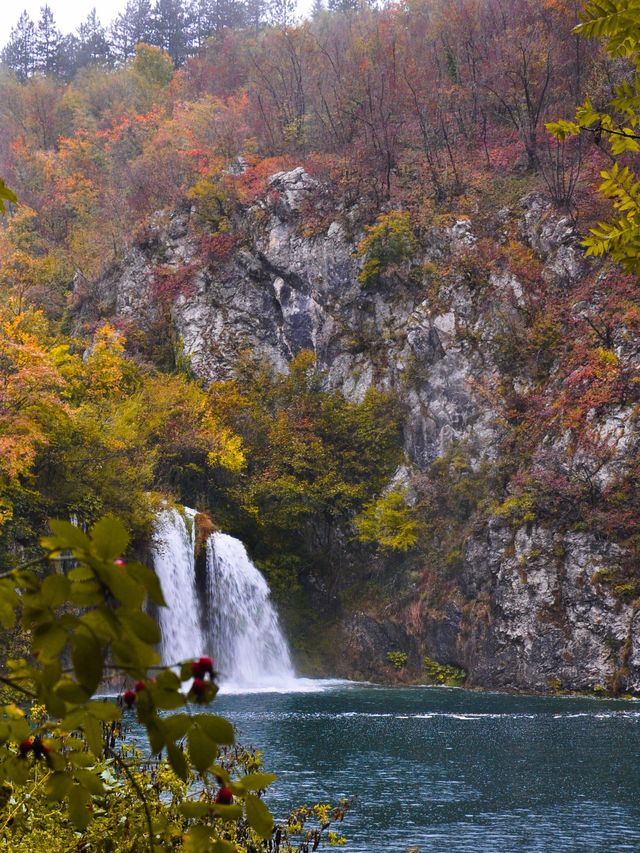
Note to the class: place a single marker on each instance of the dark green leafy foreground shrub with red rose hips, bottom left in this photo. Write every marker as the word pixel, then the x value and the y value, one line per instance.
pixel 84 623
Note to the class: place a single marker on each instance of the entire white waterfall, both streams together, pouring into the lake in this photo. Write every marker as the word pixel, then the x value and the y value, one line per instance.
pixel 231 617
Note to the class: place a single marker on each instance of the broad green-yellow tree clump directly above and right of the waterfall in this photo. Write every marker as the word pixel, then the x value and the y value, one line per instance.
pixel 313 458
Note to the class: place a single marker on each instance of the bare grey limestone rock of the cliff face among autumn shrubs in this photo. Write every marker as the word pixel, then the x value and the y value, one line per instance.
pixel 527 612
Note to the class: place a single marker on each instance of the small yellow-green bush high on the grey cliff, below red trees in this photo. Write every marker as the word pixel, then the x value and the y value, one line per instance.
pixel 386 245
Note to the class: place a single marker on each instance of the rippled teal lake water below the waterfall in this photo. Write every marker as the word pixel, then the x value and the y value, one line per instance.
pixel 452 770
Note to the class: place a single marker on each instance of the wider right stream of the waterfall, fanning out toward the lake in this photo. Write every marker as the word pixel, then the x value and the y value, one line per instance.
pixel 247 643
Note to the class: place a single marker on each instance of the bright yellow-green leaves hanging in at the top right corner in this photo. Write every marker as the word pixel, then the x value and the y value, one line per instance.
pixel 616 22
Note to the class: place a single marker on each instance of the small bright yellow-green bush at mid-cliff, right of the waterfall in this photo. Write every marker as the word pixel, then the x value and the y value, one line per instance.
pixel 389 522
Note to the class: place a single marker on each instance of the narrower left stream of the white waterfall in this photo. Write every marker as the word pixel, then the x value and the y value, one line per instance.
pixel 173 552
